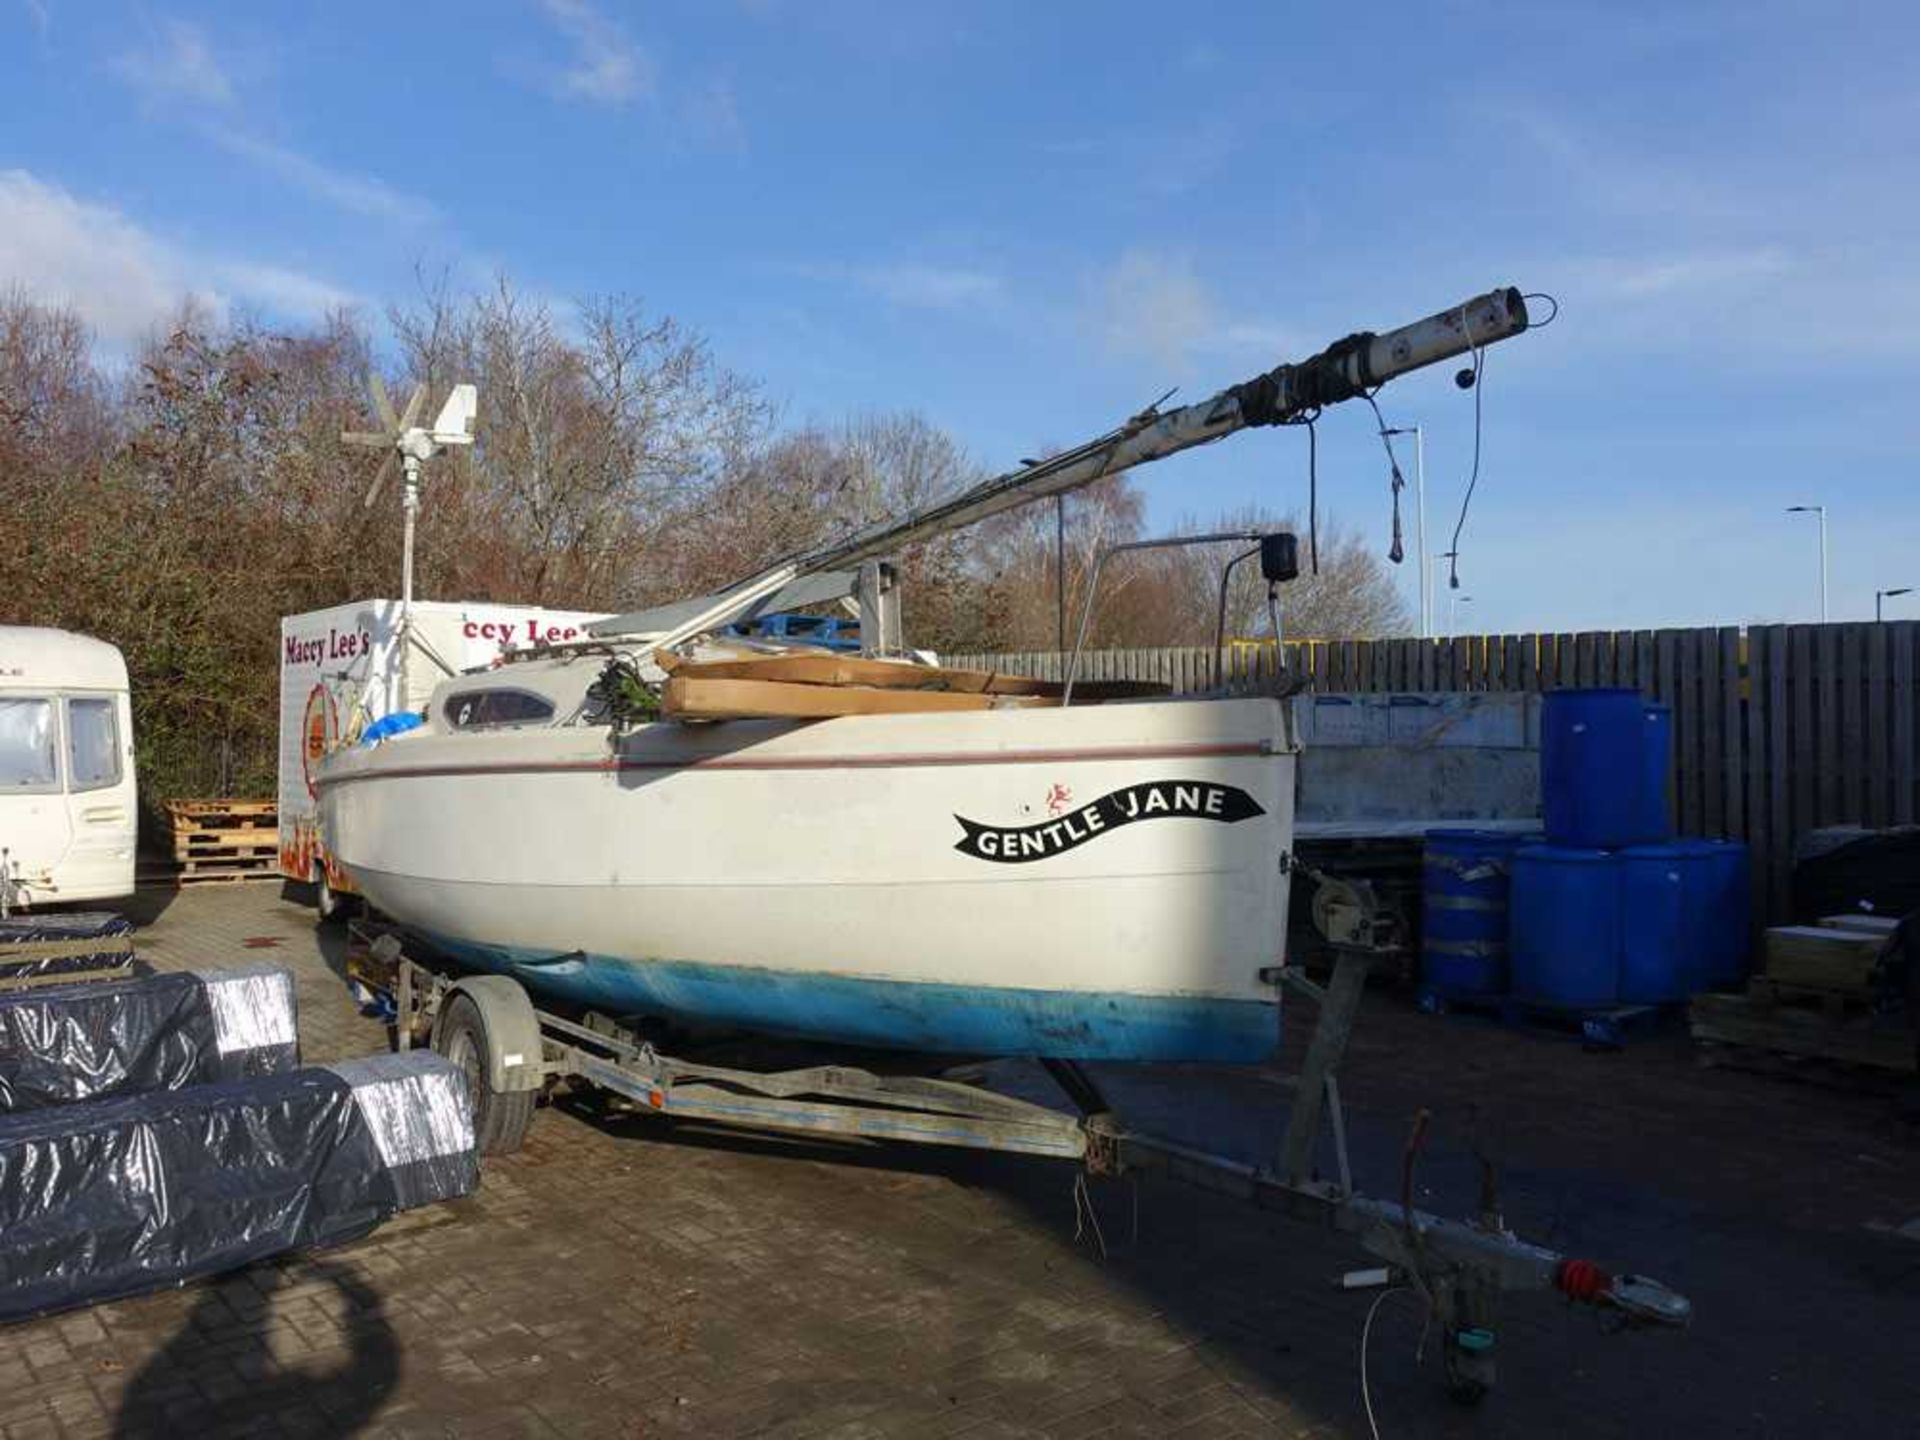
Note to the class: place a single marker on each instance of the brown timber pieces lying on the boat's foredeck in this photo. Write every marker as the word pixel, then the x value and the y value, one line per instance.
pixel 815 686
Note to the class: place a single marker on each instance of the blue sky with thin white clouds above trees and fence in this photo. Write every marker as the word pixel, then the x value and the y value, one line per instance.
pixel 1030 220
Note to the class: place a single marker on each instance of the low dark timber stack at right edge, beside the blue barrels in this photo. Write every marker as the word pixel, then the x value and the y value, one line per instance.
pixel 1815 999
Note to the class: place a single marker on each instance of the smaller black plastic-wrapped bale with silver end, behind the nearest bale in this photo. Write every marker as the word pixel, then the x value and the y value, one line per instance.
pixel 97 1040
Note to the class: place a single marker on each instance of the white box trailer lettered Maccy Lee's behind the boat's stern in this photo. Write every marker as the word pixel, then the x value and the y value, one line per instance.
pixel 341 671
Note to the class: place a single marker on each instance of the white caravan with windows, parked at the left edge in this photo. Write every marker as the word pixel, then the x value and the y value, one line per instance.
pixel 68 805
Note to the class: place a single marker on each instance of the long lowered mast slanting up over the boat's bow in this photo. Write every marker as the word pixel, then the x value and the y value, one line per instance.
pixel 1289 393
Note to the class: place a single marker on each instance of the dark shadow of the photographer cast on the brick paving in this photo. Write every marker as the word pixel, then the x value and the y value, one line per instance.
pixel 218 1374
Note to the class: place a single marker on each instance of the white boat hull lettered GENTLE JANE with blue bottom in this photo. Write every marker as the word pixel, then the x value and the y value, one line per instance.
pixel 1095 882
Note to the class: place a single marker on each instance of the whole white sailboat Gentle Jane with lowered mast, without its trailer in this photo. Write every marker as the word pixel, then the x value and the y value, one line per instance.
pixel 992 873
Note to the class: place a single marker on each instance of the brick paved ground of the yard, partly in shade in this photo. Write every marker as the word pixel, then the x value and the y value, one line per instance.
pixel 627 1280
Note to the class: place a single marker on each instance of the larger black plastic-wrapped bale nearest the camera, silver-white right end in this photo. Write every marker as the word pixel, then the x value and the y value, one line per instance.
pixel 147 1191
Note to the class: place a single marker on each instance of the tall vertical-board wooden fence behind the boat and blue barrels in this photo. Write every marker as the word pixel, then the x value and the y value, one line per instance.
pixel 1777 729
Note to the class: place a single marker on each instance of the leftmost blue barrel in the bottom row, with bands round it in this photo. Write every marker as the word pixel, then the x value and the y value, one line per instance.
pixel 1464 911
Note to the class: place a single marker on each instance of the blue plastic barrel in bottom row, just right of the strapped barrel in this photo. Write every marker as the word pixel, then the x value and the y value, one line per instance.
pixel 1564 934
